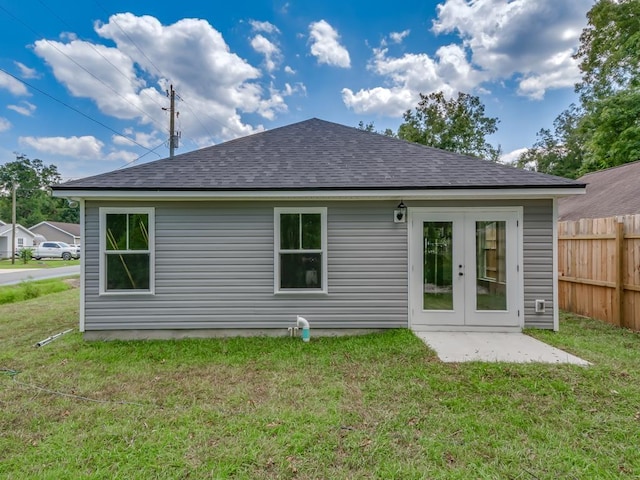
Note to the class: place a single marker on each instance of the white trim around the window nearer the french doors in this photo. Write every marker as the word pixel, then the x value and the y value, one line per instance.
pixel 277 211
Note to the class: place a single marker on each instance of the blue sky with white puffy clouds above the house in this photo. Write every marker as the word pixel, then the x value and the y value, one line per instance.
pixel 96 72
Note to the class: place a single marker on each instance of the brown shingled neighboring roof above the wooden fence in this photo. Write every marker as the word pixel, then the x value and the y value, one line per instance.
pixel 610 192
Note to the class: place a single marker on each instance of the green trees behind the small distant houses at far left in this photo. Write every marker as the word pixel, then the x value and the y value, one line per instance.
pixel 34 202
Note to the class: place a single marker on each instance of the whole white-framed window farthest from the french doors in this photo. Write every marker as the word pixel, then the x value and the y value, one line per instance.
pixel 127 250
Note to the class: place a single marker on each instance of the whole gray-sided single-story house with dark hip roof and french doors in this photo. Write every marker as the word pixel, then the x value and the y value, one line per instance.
pixel 352 230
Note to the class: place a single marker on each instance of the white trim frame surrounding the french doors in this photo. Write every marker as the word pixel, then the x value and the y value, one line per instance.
pixel 414 263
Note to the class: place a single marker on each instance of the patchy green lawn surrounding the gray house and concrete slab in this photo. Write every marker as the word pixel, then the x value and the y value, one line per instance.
pixel 376 406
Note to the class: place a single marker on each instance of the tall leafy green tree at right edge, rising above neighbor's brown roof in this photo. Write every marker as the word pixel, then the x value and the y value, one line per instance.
pixel 609 57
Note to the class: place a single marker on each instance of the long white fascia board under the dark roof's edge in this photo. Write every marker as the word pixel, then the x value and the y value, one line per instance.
pixel 448 194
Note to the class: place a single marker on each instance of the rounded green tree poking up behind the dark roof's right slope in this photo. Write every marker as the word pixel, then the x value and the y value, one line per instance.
pixel 457 125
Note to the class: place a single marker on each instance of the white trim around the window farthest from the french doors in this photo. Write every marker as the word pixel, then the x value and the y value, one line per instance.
pixel 150 211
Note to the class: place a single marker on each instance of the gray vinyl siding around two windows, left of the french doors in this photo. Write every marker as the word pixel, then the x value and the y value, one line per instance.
pixel 222 276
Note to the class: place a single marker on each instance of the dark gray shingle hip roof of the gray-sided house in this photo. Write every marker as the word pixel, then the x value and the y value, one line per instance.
pixel 316 155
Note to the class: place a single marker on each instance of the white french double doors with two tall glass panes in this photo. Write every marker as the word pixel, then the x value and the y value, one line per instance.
pixel 464 268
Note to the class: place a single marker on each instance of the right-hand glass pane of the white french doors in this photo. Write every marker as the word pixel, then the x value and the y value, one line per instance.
pixel 491 271
